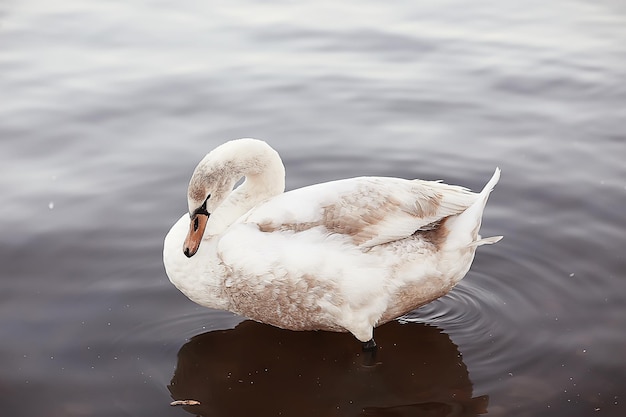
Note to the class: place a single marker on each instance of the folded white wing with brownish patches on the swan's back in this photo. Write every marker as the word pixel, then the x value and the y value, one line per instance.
pixel 370 210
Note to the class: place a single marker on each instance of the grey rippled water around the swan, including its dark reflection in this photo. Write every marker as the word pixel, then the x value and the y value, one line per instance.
pixel 107 107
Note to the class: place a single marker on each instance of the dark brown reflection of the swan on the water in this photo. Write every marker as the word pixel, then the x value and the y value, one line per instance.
pixel 260 370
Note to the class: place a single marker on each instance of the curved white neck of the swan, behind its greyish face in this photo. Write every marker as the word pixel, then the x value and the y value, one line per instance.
pixel 264 175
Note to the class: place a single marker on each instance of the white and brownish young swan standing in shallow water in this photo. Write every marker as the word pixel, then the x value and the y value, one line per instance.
pixel 345 255
